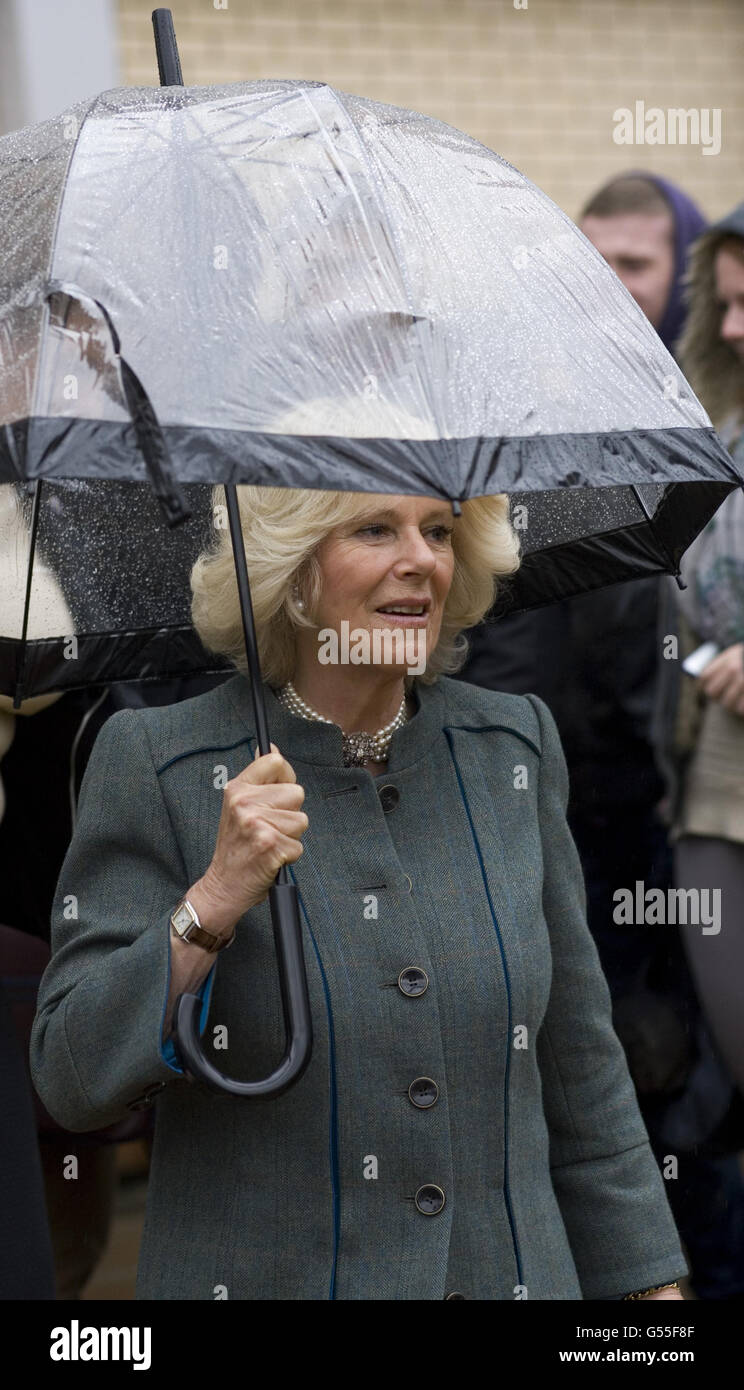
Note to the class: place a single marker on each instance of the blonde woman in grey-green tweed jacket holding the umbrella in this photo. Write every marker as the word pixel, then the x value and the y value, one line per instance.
pixel 467 1127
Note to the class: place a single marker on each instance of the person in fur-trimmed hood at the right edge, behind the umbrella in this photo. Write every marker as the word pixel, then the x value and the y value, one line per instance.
pixel 700 721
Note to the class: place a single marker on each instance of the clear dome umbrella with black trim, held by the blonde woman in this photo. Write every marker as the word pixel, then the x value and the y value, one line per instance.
pixel 279 284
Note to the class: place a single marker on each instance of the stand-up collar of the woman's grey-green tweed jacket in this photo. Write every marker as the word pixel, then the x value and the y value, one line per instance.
pixel 322 744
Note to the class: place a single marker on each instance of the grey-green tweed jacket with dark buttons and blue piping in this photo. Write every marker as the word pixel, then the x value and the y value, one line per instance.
pixel 471 876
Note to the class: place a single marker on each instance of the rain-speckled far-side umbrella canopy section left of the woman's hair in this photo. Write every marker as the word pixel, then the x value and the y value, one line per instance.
pixel 109 597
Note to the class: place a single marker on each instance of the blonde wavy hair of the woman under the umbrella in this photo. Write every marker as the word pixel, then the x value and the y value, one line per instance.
pixel 283 529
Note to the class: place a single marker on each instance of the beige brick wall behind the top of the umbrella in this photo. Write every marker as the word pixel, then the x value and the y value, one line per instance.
pixel 539 85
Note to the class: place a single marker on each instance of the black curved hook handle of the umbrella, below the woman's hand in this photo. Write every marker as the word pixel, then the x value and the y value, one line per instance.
pixel 283 899
